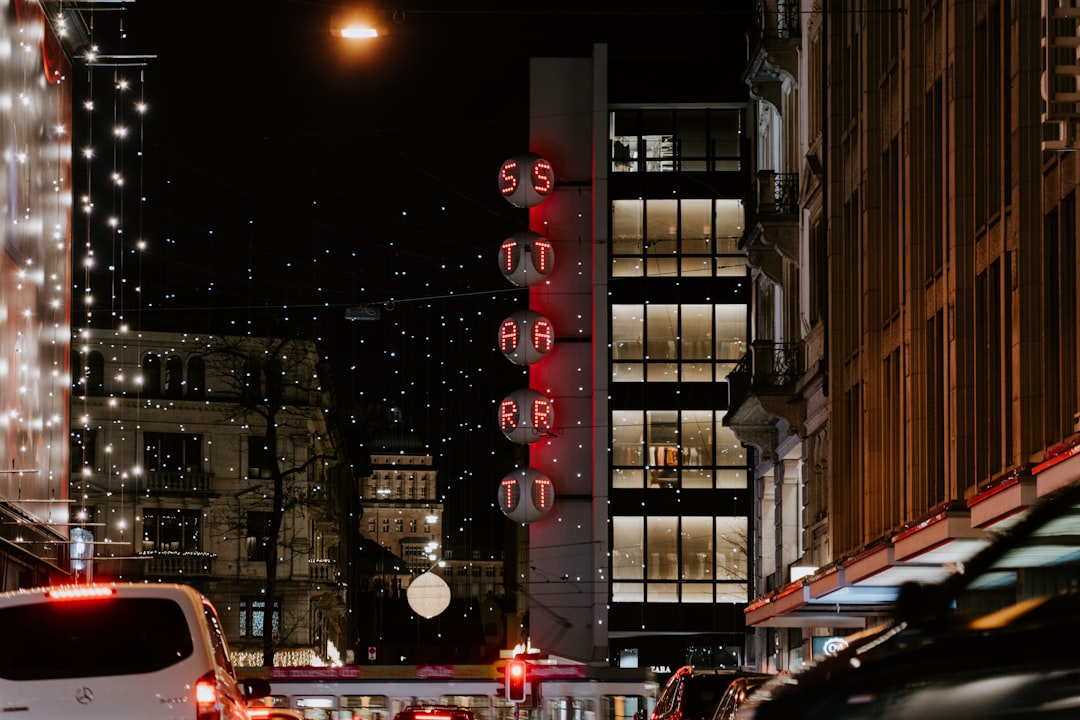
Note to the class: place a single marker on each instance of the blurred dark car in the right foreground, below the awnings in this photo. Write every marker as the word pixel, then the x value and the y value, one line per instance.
pixel 993 642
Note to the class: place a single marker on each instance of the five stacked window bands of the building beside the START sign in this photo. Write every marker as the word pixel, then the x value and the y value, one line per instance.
pixel 677 558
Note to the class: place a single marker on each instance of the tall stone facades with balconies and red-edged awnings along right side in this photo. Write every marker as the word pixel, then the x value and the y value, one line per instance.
pixel 913 382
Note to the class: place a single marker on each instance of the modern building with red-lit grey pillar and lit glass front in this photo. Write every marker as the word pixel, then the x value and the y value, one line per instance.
pixel 643 561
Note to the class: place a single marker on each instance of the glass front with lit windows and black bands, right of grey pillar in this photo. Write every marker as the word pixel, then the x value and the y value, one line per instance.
pixel 679 324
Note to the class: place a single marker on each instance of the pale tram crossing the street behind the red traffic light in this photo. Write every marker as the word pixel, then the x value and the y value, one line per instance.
pixel 557 691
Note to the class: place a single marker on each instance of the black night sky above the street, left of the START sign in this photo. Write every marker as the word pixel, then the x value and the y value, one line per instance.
pixel 279 179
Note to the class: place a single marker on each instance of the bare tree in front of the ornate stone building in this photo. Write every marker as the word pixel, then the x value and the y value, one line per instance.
pixel 274 388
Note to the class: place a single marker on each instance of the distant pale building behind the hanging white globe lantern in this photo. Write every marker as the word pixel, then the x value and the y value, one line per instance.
pixel 402 537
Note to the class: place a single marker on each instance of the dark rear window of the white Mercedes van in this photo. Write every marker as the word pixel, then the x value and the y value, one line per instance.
pixel 90 639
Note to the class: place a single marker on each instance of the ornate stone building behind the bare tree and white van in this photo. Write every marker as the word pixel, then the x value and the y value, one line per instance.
pixel 175 478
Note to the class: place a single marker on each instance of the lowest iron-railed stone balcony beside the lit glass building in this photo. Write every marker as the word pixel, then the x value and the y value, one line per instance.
pixel 765 396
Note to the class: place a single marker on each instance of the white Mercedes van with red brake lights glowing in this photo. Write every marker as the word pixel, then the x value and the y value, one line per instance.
pixel 117 651
